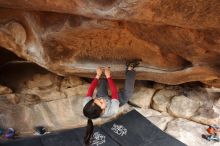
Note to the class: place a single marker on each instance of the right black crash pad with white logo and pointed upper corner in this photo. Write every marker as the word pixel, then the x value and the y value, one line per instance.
pixel 133 129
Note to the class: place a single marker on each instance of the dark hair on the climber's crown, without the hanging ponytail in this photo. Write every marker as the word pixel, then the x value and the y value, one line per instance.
pixel 92 110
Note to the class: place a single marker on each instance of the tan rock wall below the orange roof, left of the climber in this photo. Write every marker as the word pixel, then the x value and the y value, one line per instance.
pixel 47 100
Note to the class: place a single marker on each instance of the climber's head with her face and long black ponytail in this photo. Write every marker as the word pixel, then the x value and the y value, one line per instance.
pixel 92 110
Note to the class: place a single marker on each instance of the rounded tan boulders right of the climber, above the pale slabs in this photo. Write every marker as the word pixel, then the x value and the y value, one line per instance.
pixel 190 103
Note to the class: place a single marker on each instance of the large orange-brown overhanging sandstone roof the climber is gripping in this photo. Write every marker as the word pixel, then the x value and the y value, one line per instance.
pixel 177 41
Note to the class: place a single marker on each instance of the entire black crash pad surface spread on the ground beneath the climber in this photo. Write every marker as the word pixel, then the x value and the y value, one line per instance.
pixel 131 129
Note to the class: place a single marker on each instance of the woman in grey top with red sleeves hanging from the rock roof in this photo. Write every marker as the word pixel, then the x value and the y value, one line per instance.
pixel 103 105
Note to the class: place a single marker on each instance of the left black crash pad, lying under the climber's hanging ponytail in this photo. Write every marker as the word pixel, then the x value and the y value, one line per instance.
pixel 73 137
